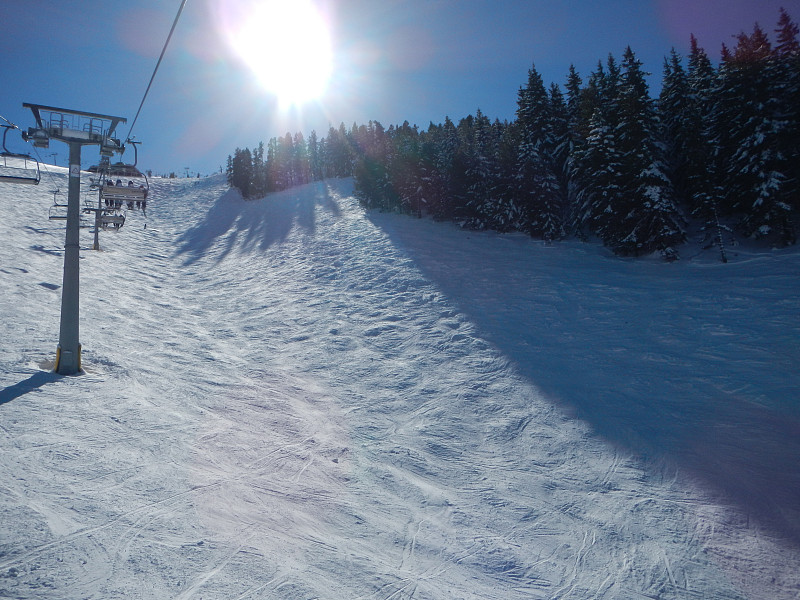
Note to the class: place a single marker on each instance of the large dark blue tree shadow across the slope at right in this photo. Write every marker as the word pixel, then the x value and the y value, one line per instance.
pixel 657 385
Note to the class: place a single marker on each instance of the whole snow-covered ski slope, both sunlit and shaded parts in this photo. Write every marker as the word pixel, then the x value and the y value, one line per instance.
pixel 295 398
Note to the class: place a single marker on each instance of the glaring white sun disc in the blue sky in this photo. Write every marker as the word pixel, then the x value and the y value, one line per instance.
pixel 287 46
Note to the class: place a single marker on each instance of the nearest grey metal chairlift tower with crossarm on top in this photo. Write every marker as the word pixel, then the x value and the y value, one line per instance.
pixel 77 129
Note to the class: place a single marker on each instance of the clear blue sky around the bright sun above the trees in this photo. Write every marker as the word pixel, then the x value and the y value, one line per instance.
pixel 393 60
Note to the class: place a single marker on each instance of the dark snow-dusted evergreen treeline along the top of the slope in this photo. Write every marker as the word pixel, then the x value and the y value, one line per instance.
pixel 719 145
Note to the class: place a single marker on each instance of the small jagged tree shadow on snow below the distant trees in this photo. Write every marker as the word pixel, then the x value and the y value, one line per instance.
pixel 254 224
